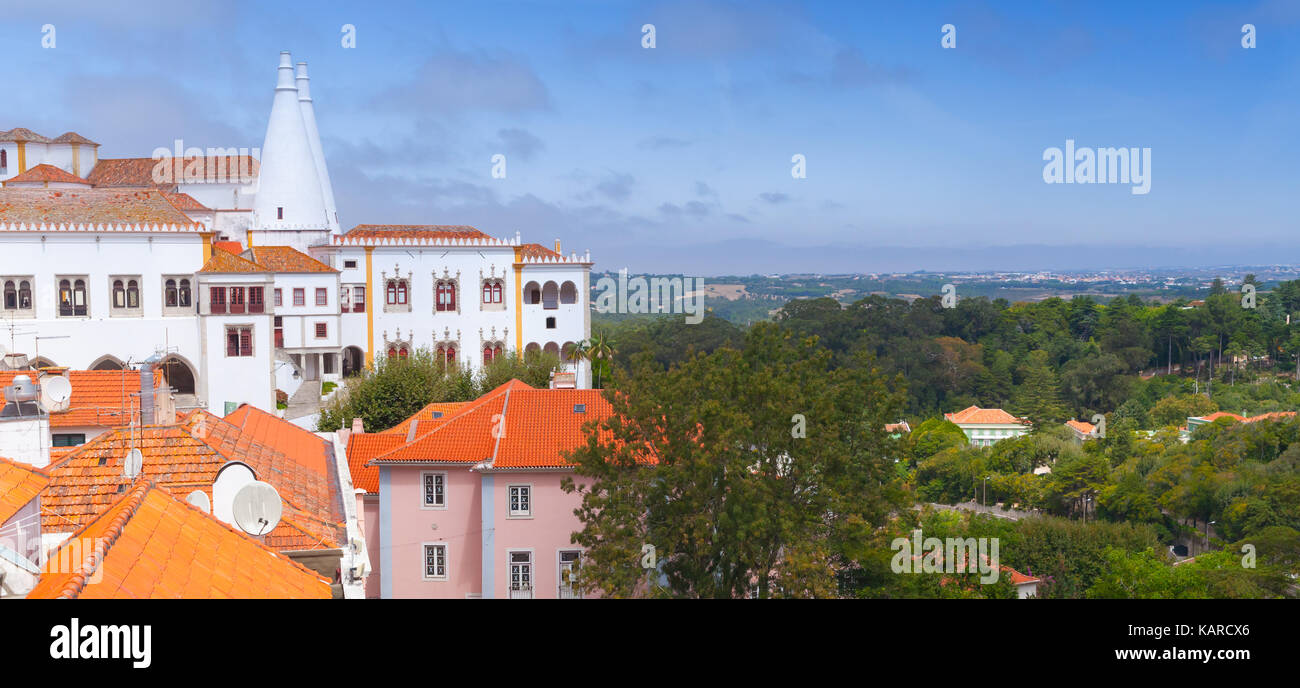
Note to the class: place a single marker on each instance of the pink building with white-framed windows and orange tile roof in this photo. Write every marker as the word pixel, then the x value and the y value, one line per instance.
pixel 466 501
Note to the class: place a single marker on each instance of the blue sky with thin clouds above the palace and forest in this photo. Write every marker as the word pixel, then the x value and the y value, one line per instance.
pixel 678 159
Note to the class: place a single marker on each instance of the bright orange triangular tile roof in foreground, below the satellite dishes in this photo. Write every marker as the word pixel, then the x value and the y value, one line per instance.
pixel 150 544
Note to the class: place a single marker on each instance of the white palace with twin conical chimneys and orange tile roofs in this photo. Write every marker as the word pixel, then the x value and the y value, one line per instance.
pixel 235 276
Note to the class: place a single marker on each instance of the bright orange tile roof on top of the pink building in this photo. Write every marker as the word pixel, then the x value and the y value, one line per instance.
pixel 538 426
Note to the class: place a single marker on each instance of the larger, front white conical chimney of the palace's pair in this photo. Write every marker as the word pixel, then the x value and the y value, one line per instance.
pixel 289 191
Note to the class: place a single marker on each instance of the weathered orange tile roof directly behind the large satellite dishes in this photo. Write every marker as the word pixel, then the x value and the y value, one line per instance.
pixel 187 457
